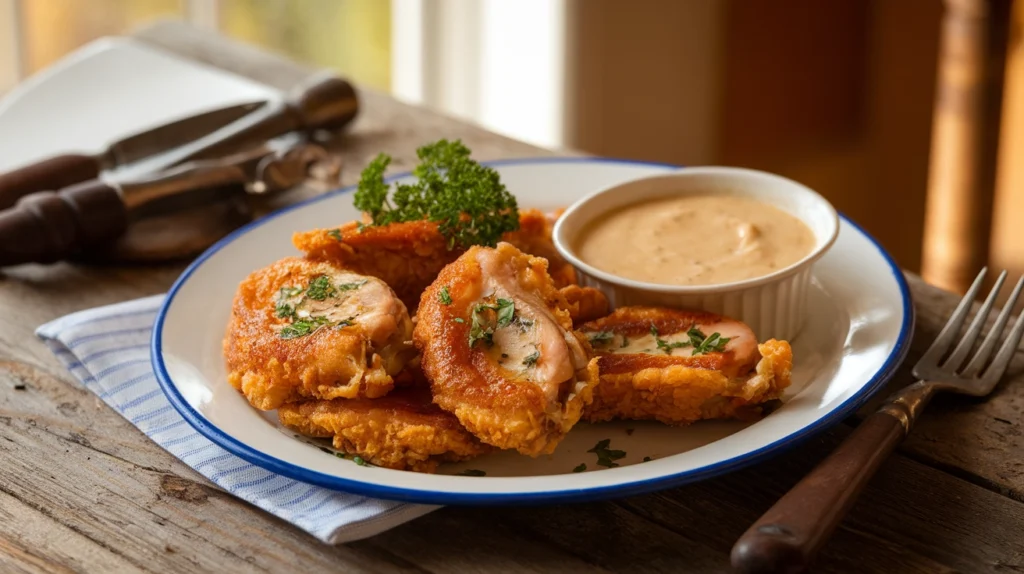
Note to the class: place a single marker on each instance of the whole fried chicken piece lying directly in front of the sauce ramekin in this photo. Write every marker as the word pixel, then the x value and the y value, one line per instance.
pixel 650 372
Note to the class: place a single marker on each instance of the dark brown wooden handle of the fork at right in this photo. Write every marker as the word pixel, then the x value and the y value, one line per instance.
pixel 788 538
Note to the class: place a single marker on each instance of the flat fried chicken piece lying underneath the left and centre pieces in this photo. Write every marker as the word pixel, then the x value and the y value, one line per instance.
pixel 402 431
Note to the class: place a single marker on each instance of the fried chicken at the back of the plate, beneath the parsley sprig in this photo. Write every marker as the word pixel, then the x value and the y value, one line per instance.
pixel 409 256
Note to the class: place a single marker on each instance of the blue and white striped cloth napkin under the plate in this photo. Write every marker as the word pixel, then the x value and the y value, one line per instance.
pixel 108 349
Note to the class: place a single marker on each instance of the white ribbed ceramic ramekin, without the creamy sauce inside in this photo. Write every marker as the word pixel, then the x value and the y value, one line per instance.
pixel 775 305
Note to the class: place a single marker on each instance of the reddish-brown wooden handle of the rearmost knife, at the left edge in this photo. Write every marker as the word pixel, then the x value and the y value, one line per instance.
pixel 55 173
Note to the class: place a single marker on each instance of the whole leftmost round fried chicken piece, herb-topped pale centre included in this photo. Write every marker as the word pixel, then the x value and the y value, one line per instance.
pixel 302 329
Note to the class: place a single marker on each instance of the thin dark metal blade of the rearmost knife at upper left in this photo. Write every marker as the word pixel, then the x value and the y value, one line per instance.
pixel 175 135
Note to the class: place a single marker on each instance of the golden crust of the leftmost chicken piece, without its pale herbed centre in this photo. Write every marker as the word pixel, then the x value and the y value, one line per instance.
pixel 329 364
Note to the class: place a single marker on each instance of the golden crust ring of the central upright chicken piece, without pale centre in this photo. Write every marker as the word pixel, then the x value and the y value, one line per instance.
pixel 491 402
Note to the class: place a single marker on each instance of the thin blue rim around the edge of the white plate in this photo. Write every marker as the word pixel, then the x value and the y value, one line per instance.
pixel 596 494
